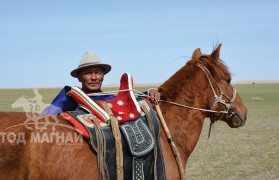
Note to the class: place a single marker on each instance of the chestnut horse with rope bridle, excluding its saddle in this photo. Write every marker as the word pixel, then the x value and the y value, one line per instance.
pixel 199 89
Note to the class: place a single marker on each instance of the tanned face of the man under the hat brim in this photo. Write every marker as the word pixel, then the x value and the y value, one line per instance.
pixel 91 79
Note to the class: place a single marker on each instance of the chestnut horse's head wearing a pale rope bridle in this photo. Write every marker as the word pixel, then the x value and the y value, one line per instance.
pixel 221 96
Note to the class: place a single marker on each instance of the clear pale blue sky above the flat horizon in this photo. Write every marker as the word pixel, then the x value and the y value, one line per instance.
pixel 42 41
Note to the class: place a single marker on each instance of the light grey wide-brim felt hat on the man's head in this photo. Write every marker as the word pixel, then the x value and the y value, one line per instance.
pixel 90 59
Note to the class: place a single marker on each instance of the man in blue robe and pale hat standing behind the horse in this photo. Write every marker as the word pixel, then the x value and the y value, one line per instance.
pixel 90 73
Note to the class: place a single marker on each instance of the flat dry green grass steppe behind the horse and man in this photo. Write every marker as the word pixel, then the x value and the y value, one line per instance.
pixel 249 152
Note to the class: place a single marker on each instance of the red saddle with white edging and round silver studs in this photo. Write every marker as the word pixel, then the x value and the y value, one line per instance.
pixel 124 106
